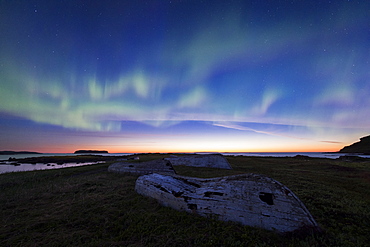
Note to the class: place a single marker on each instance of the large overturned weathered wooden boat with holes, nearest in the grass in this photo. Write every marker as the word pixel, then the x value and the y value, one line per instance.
pixel 249 199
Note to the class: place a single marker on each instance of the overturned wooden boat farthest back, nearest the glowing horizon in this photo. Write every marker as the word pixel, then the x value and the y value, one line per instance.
pixel 207 160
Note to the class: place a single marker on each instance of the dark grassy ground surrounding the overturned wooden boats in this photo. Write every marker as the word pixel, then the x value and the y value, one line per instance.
pixel 87 206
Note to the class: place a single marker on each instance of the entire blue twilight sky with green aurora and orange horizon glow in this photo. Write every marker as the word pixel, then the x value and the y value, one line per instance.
pixel 166 76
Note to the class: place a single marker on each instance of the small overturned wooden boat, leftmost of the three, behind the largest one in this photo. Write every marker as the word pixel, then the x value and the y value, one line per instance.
pixel 142 168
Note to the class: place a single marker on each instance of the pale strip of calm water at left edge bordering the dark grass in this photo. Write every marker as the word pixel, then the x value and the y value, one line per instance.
pixel 8 167
